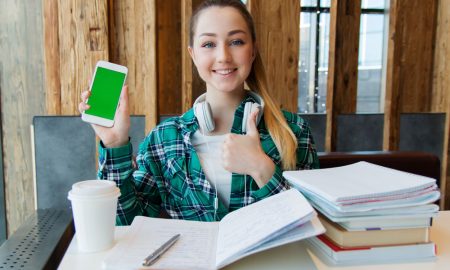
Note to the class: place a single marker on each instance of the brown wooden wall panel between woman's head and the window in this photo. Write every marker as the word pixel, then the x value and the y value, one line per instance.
pixel 277 26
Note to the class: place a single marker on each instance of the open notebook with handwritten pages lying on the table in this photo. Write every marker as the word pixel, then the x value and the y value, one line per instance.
pixel 280 219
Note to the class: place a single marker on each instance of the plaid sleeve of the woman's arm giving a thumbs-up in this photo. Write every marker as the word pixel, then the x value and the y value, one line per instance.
pixel 306 158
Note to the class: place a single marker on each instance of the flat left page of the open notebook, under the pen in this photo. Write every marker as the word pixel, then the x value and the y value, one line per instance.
pixel 195 249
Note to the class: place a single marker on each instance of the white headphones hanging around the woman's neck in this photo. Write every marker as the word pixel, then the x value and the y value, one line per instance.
pixel 203 113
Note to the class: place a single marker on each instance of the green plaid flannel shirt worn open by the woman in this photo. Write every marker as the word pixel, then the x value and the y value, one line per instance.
pixel 168 173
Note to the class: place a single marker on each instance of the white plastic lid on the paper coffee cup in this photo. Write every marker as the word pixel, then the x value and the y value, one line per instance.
pixel 94 189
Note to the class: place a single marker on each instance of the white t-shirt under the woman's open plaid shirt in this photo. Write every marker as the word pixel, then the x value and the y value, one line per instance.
pixel 209 151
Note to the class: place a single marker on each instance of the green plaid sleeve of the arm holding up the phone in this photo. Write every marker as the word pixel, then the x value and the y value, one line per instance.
pixel 139 193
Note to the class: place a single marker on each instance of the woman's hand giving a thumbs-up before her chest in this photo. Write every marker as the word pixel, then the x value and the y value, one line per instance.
pixel 243 154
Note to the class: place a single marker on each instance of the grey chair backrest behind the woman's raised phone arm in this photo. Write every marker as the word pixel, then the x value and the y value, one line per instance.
pixel 65 153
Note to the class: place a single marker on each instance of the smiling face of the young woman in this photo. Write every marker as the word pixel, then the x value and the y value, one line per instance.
pixel 222 49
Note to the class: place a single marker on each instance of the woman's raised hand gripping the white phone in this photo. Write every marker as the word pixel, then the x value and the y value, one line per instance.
pixel 116 135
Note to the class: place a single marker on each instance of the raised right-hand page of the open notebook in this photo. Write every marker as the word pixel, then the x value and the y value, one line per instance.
pixel 247 227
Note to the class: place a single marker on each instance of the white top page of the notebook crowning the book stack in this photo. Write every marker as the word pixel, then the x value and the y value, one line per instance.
pixel 358 180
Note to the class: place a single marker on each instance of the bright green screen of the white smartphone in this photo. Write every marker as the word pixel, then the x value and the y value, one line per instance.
pixel 105 93
